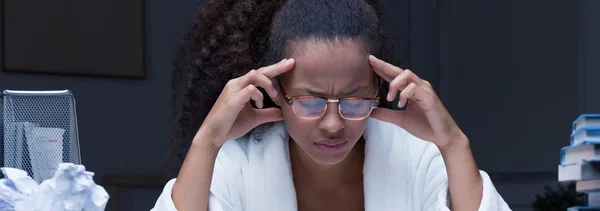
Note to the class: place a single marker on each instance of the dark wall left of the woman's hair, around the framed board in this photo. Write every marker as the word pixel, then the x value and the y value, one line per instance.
pixel 124 124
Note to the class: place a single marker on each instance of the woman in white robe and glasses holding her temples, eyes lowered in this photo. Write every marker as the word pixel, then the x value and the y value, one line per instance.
pixel 303 131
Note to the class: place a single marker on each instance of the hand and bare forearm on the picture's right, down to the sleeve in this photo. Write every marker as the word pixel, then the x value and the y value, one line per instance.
pixel 426 118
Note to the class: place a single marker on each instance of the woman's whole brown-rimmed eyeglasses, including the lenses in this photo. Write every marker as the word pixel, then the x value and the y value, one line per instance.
pixel 314 107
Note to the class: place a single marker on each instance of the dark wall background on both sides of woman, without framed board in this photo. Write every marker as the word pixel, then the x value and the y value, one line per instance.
pixel 514 74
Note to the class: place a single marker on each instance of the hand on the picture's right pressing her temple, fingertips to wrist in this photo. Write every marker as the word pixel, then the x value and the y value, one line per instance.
pixel 425 116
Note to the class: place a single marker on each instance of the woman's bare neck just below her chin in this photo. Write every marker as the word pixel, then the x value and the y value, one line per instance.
pixel 308 173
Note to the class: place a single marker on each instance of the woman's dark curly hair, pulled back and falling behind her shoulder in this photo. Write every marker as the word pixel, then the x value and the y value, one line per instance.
pixel 227 38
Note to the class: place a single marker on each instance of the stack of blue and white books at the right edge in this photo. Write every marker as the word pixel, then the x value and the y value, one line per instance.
pixel 580 161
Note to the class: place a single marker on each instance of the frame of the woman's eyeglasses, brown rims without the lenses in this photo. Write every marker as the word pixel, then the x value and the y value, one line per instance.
pixel 290 101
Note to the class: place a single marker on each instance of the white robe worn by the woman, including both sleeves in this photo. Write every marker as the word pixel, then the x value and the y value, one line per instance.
pixel 401 172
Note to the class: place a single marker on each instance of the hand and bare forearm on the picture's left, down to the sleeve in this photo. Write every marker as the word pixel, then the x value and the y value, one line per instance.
pixel 230 117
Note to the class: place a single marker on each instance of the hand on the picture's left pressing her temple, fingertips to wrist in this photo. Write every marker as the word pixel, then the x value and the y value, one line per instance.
pixel 232 116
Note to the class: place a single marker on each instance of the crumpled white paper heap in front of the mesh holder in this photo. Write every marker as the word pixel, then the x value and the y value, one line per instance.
pixel 71 189
